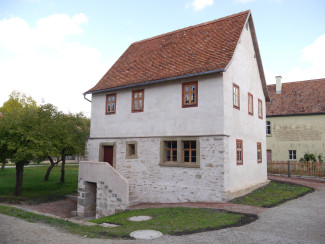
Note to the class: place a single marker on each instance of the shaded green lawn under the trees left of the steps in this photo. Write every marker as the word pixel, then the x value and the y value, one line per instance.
pixel 34 188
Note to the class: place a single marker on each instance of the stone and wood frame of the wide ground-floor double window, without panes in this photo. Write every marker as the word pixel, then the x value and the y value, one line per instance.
pixel 180 154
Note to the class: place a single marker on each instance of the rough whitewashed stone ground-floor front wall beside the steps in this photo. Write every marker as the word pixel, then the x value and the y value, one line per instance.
pixel 154 183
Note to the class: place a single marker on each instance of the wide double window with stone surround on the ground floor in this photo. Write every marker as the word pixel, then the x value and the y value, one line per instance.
pixel 180 152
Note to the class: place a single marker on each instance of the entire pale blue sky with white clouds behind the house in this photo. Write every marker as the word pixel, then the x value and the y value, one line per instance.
pixel 54 50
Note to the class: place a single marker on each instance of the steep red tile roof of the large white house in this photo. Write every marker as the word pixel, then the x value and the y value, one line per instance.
pixel 194 50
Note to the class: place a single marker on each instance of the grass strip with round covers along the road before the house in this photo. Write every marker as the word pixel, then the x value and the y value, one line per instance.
pixel 172 221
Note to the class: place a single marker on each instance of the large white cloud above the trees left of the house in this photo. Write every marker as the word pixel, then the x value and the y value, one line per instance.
pixel 43 62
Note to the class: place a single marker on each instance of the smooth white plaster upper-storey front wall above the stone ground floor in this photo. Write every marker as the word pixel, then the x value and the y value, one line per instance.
pixel 163 113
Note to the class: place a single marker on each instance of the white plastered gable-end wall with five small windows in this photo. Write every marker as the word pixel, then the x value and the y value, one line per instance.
pixel 243 71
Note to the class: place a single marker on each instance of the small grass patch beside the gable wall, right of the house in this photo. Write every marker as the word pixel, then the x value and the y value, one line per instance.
pixel 273 194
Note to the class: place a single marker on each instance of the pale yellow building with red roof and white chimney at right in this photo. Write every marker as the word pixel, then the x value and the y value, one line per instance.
pixel 295 119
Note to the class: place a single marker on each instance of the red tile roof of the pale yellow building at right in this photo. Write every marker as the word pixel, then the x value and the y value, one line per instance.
pixel 302 97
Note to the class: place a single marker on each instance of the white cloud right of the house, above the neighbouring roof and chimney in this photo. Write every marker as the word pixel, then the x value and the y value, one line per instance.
pixel 310 64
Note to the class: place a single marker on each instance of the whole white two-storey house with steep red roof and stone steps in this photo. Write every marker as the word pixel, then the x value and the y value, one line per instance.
pixel 181 116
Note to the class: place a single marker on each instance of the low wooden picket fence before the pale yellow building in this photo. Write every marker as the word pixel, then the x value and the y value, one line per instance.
pixel 289 168
